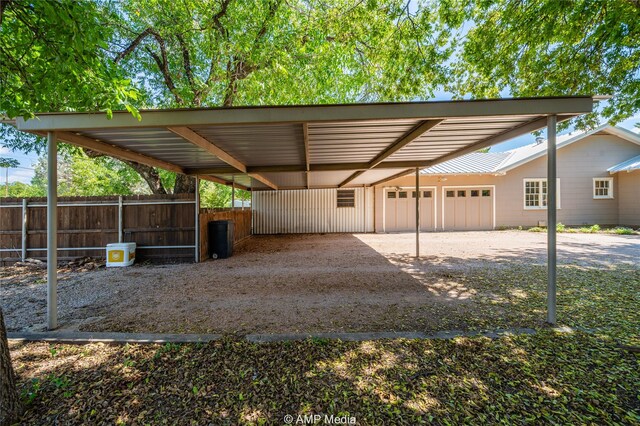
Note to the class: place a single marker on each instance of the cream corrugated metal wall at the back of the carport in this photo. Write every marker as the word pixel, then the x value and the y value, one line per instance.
pixel 310 211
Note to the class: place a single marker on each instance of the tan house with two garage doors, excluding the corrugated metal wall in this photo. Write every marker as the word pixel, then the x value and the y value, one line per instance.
pixel 598 182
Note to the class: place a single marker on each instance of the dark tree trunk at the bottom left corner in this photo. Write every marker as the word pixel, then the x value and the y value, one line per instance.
pixel 10 404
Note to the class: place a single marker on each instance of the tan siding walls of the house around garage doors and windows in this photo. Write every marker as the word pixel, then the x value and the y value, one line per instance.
pixel 578 164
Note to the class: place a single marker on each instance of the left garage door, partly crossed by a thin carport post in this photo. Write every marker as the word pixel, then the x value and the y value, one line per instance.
pixel 400 210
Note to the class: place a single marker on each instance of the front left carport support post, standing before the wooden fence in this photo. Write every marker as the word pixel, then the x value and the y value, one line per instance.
pixel 52 231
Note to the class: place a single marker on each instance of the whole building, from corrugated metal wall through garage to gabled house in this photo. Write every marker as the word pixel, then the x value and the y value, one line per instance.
pixel 598 182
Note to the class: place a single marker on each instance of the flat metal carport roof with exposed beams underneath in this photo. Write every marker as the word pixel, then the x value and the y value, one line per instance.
pixel 319 146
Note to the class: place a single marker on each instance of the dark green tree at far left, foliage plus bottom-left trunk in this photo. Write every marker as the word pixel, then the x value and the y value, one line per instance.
pixel 53 57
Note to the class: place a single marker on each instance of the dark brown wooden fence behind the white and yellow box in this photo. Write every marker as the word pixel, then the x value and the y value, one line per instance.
pixel 163 227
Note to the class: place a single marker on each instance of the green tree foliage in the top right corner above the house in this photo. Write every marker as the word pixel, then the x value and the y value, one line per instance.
pixel 549 48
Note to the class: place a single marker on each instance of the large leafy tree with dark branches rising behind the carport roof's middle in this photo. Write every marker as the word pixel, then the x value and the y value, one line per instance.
pixel 225 53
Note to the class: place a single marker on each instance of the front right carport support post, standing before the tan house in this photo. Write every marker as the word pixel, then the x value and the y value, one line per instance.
pixel 551 218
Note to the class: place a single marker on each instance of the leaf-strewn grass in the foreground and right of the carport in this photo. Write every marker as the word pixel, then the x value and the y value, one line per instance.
pixel 550 377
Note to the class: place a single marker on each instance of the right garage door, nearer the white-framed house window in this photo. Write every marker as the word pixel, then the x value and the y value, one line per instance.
pixel 468 209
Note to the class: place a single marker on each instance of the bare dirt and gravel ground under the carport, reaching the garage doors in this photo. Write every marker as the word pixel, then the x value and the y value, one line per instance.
pixel 307 283
